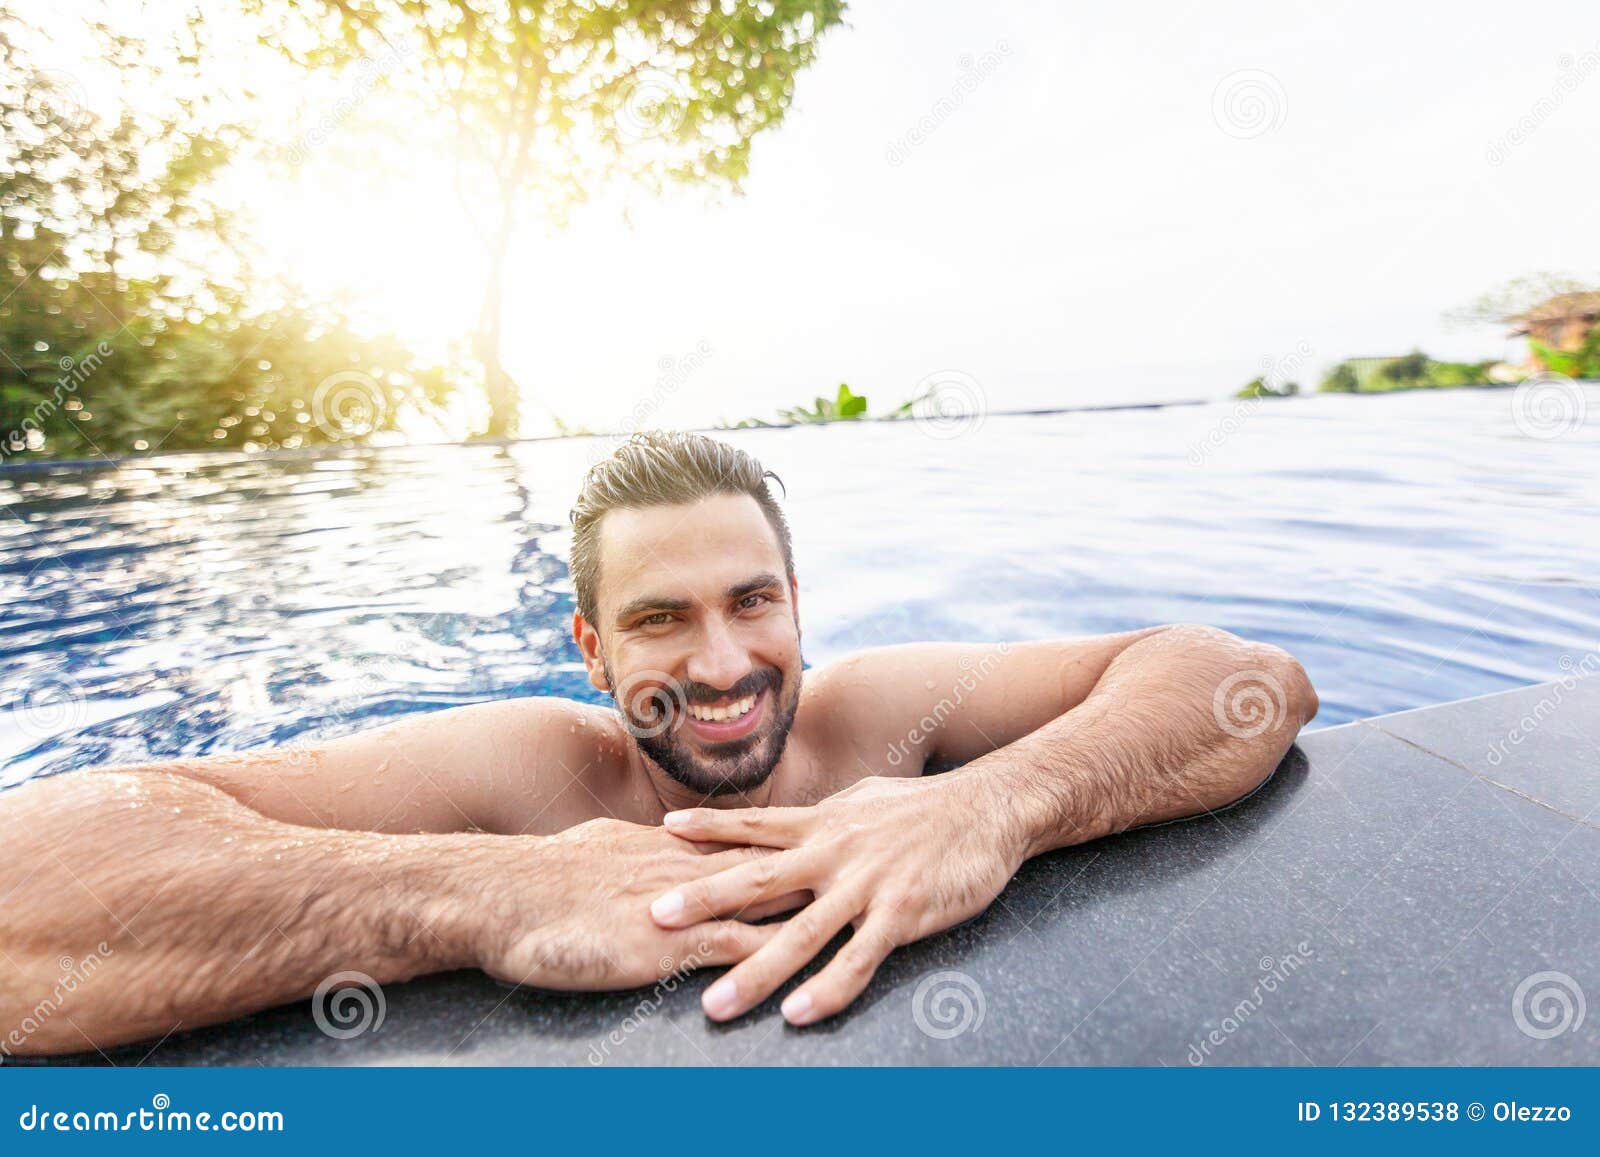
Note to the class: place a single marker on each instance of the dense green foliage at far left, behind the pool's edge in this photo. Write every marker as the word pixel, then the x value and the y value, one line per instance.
pixel 132 318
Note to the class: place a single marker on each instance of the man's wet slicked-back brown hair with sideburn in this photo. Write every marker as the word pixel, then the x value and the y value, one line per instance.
pixel 665 468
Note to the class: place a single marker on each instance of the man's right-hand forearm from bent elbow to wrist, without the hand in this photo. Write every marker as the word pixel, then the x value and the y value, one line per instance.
pixel 1182 723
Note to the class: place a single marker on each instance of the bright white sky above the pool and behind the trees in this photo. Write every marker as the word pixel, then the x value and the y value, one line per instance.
pixel 1126 207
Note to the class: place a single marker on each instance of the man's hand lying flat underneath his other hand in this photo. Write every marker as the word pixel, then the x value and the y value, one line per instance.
pixel 575 918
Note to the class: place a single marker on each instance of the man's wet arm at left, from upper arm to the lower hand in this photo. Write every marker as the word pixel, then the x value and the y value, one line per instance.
pixel 199 908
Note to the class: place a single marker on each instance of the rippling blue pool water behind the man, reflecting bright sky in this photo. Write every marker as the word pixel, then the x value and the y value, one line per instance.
pixel 1412 550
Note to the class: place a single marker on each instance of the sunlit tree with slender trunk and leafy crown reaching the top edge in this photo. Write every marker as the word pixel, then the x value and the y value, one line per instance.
pixel 550 100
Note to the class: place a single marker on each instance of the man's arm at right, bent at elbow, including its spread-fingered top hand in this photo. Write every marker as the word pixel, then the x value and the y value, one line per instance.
pixel 1177 721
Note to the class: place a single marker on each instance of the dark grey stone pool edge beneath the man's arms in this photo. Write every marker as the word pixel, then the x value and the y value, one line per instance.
pixel 1415 889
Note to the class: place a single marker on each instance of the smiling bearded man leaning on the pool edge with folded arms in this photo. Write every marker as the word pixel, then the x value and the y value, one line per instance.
pixel 575 847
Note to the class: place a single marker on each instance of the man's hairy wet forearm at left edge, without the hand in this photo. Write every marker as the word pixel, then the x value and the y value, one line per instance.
pixel 198 910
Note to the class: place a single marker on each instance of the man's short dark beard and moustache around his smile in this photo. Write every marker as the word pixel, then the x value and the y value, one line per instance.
pixel 732 767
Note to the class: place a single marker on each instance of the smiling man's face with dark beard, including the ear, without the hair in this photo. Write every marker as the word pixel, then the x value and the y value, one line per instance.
pixel 698 639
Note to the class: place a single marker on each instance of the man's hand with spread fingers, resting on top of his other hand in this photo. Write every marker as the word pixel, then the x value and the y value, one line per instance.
pixel 895 859
